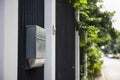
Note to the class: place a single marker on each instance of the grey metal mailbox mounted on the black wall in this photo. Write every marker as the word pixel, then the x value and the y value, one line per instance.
pixel 35 46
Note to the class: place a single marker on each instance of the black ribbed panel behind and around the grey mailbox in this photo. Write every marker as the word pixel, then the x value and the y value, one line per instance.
pixel 31 12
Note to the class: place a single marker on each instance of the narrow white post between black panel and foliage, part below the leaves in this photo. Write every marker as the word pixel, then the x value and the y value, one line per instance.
pixel 77 56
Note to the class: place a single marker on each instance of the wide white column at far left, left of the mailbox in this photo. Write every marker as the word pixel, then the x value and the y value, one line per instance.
pixel 10 39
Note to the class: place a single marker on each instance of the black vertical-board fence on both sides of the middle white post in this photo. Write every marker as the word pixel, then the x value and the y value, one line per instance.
pixel 31 12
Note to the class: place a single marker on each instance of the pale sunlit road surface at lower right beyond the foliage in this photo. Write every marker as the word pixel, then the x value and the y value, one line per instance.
pixel 111 69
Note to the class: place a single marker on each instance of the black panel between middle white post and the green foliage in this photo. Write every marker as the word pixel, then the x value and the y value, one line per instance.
pixel 65 41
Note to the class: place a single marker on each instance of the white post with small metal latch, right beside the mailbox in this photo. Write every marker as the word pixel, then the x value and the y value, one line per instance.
pixel 49 70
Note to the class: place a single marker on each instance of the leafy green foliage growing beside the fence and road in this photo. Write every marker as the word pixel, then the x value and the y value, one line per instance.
pixel 95 27
